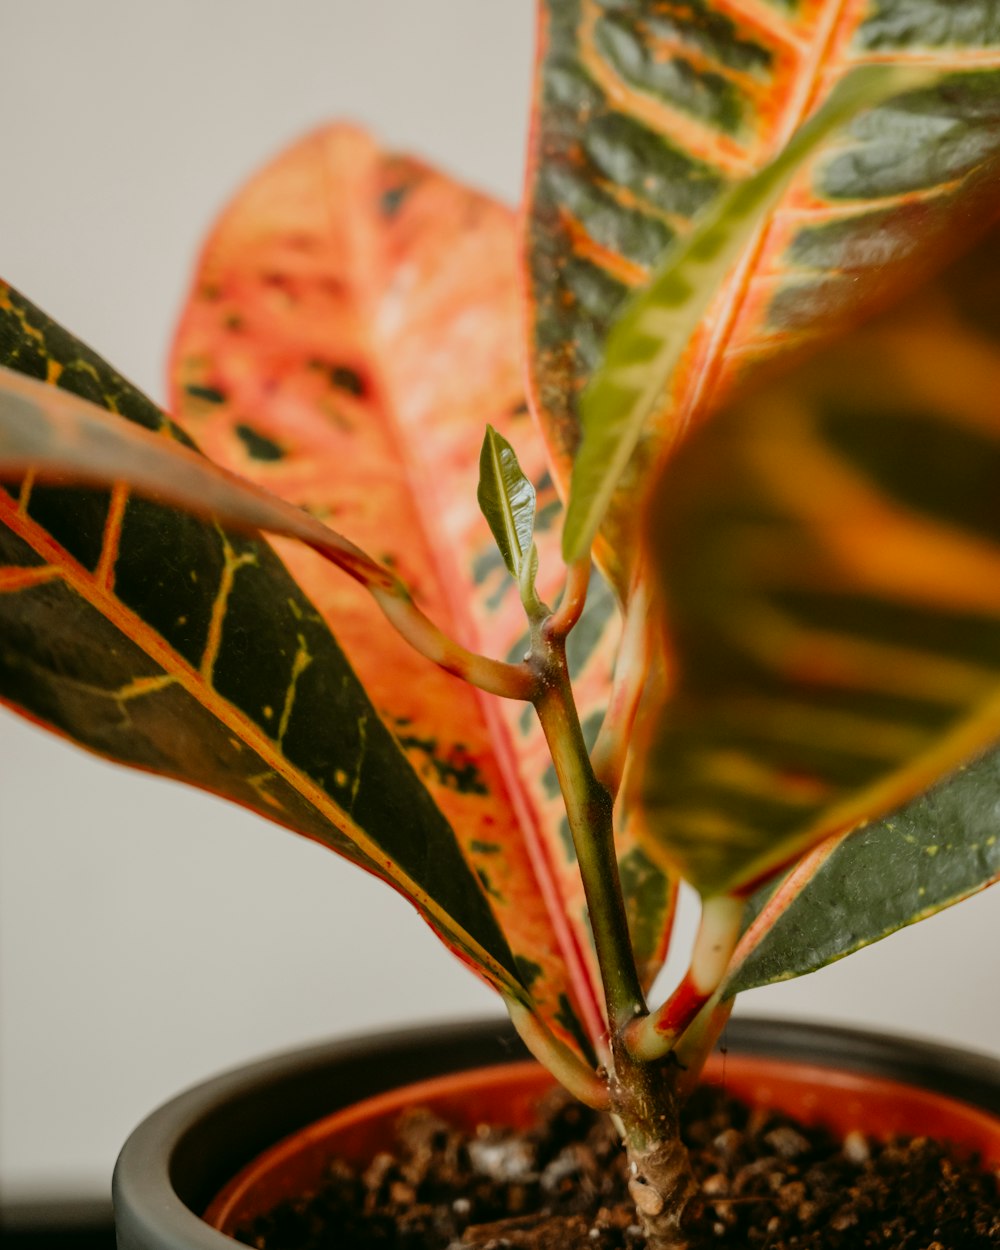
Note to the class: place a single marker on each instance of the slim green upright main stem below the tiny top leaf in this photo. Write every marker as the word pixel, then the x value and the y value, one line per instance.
pixel 589 814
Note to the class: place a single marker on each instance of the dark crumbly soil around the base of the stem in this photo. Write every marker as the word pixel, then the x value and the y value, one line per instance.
pixel 766 1182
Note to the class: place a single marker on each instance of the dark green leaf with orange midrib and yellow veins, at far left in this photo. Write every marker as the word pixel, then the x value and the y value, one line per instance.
pixel 169 644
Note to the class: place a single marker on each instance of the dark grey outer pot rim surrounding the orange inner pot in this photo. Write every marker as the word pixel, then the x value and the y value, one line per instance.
pixel 182 1156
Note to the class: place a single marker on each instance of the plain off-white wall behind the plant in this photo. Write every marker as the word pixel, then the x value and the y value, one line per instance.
pixel 153 936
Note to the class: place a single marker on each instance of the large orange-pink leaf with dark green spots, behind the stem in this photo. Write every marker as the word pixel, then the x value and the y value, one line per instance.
pixel 353 324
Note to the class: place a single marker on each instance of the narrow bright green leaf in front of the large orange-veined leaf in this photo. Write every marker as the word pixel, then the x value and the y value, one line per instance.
pixel 648 339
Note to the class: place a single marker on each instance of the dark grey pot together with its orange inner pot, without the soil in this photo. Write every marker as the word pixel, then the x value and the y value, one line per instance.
pixel 184 1157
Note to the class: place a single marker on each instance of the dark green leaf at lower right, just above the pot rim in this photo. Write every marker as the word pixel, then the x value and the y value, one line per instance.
pixel 858 888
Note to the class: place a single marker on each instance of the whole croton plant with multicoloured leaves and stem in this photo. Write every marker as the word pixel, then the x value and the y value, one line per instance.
pixel 648 536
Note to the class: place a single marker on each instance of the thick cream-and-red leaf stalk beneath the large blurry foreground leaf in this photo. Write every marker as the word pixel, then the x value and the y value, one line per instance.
pixel 718 933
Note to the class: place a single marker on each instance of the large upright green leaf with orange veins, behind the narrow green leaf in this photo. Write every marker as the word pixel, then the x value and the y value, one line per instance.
pixel 646 114
